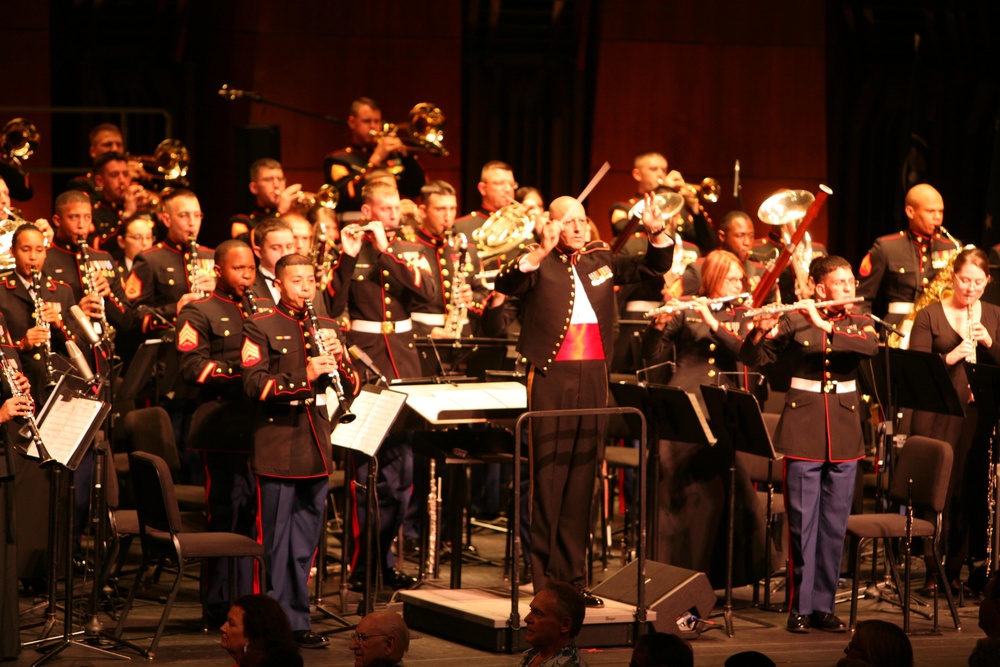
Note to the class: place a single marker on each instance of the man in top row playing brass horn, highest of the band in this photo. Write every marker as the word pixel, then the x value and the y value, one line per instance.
pixel 370 148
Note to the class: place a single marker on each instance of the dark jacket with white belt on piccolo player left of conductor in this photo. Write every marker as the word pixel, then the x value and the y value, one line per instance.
pixel 383 288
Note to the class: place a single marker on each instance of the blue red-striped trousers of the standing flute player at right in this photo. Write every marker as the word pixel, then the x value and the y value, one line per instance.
pixel 818 498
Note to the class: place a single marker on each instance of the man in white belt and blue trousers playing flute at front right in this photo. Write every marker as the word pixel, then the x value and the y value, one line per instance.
pixel 819 432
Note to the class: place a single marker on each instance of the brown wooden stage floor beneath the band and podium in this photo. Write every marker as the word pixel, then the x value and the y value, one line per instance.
pixel 184 642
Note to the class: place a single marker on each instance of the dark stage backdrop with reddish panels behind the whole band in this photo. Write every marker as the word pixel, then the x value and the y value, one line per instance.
pixel 800 93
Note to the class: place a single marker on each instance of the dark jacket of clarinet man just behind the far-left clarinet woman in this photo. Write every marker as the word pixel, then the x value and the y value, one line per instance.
pixel 63 264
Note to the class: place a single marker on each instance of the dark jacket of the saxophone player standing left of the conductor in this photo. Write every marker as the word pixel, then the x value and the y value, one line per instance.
pixel 442 262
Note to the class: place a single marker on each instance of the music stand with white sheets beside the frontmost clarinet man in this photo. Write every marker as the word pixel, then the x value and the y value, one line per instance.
pixel 376 409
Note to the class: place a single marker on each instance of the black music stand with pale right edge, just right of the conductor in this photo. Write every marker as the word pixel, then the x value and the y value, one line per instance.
pixel 672 414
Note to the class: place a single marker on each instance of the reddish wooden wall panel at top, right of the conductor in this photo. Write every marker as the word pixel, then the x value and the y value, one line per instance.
pixel 707 91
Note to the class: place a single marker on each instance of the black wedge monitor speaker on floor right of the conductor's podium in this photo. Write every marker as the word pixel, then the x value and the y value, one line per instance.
pixel 675 594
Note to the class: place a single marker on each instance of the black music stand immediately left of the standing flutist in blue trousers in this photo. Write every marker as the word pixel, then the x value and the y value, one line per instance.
pixel 738 423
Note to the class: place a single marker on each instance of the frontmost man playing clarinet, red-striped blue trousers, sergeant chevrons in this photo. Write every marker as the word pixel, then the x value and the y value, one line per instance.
pixel 285 377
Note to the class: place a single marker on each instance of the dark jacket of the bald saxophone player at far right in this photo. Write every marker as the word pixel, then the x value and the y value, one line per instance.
pixel 898 268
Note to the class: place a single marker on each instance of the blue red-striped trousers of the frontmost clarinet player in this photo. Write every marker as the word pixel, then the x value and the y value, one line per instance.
pixel 291 518
